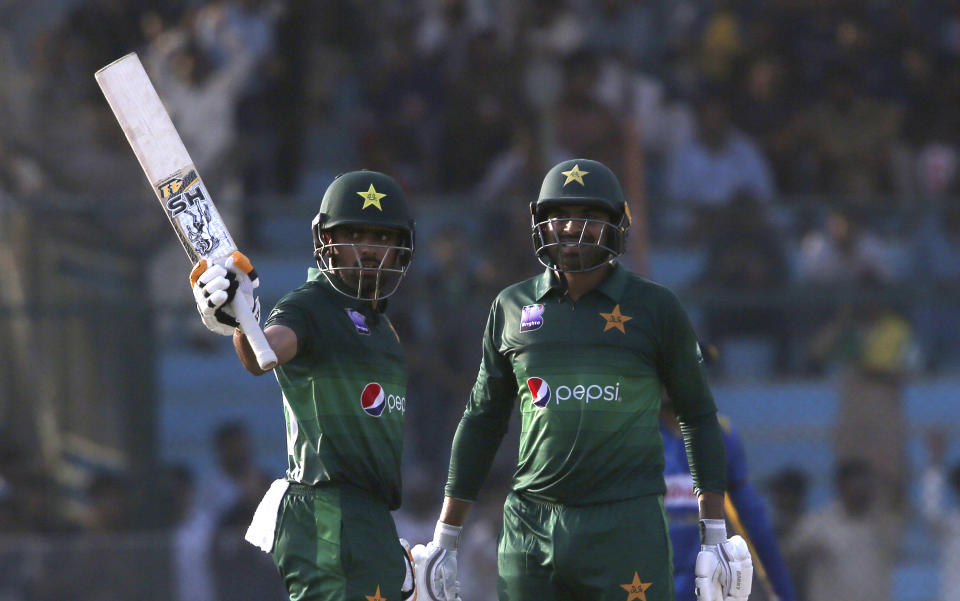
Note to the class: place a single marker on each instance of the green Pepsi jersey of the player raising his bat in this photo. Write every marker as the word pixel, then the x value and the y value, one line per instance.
pixel 344 393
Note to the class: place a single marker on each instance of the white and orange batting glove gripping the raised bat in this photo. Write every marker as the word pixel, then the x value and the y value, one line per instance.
pixel 215 286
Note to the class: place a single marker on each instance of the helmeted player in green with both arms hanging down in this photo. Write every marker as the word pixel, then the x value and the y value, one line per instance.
pixel 585 347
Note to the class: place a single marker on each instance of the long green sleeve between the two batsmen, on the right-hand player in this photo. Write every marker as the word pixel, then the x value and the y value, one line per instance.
pixel 485 418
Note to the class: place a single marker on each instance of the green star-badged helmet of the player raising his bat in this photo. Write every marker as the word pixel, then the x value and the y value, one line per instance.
pixel 370 199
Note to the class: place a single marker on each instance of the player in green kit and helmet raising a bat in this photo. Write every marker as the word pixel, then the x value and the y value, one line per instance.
pixel 343 377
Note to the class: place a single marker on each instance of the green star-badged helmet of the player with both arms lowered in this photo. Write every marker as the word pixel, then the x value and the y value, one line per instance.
pixel 586 183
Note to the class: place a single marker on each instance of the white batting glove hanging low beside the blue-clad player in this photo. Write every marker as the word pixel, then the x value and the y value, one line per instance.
pixel 724 569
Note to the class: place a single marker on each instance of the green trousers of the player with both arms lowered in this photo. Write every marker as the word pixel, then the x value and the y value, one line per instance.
pixel 604 552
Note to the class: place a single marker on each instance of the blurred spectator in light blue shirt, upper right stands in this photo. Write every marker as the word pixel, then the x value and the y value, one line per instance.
pixel 719 162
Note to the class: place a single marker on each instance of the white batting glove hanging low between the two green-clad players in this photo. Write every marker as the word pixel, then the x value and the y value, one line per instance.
pixel 436 564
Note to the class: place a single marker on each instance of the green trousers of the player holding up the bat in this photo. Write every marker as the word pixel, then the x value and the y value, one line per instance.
pixel 337 542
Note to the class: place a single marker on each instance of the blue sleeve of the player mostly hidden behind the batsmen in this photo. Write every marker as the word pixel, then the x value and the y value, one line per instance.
pixel 752 515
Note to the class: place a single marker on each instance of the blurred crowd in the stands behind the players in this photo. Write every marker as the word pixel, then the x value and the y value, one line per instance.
pixel 792 169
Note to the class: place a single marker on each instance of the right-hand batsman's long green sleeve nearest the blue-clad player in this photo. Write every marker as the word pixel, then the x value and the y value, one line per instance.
pixel 680 366
